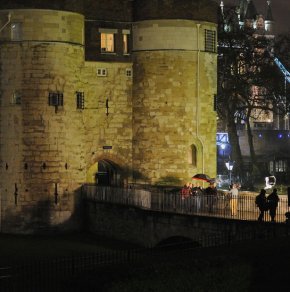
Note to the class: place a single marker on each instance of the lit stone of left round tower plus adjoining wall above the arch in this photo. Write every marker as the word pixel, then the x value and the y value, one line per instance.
pixel 48 150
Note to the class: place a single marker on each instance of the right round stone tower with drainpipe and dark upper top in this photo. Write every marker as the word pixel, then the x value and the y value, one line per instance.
pixel 174 121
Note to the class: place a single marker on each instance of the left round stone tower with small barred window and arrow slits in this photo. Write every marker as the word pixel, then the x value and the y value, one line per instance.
pixel 40 51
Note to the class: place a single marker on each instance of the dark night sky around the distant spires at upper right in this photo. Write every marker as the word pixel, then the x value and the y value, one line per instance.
pixel 280 11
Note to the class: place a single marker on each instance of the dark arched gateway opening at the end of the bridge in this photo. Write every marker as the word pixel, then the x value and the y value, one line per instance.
pixel 109 174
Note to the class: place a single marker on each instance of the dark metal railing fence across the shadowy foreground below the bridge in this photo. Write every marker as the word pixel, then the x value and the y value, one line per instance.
pixel 61 274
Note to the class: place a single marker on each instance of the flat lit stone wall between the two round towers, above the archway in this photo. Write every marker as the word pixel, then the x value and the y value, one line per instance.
pixel 107 127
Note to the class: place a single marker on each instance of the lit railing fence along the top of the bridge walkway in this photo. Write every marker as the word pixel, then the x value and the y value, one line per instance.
pixel 201 204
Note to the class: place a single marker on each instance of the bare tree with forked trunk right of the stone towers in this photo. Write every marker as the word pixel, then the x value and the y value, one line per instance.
pixel 247 85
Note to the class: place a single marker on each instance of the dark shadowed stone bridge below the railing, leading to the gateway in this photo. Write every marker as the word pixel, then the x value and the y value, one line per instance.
pixel 147 227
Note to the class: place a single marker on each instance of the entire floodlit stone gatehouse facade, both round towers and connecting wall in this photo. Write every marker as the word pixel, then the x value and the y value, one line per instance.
pixel 157 126
